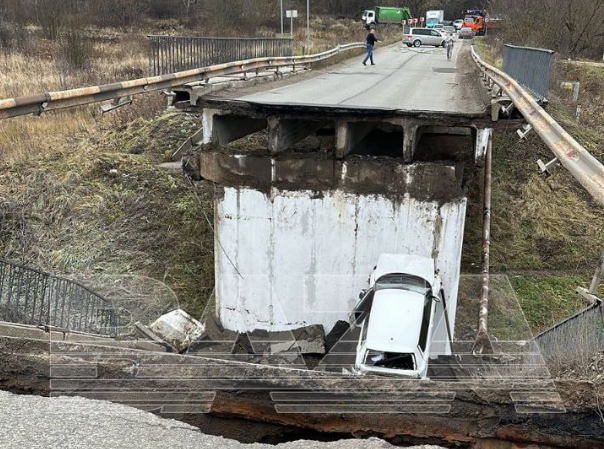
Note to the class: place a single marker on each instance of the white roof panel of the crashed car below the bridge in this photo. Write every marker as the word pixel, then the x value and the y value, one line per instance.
pixel 395 321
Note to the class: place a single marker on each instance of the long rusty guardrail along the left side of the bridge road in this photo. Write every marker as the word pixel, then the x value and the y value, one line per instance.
pixel 51 101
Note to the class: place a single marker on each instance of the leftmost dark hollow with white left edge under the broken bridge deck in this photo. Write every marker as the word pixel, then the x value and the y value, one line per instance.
pixel 223 128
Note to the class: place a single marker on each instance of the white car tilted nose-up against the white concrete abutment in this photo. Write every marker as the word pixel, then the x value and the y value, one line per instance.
pixel 396 316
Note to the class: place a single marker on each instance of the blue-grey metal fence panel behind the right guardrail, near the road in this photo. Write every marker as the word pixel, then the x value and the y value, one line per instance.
pixel 531 67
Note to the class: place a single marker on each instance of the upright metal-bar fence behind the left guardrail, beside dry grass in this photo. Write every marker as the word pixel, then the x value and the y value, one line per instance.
pixel 170 54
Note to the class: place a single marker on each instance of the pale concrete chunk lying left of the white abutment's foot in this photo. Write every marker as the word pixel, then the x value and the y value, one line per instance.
pixel 178 329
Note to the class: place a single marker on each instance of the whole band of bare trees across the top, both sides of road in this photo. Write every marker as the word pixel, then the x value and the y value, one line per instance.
pixel 571 27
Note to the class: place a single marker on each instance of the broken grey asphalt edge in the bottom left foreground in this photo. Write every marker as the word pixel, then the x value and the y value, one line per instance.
pixel 76 423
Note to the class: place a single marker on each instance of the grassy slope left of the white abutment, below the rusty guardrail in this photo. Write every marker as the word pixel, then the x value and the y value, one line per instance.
pixel 98 203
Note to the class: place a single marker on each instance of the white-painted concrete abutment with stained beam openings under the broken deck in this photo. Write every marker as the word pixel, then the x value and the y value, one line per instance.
pixel 300 228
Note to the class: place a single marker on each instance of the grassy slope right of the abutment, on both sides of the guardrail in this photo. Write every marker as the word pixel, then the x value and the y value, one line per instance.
pixel 552 225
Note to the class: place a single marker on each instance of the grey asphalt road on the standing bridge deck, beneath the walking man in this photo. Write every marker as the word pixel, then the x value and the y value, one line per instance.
pixel 403 79
